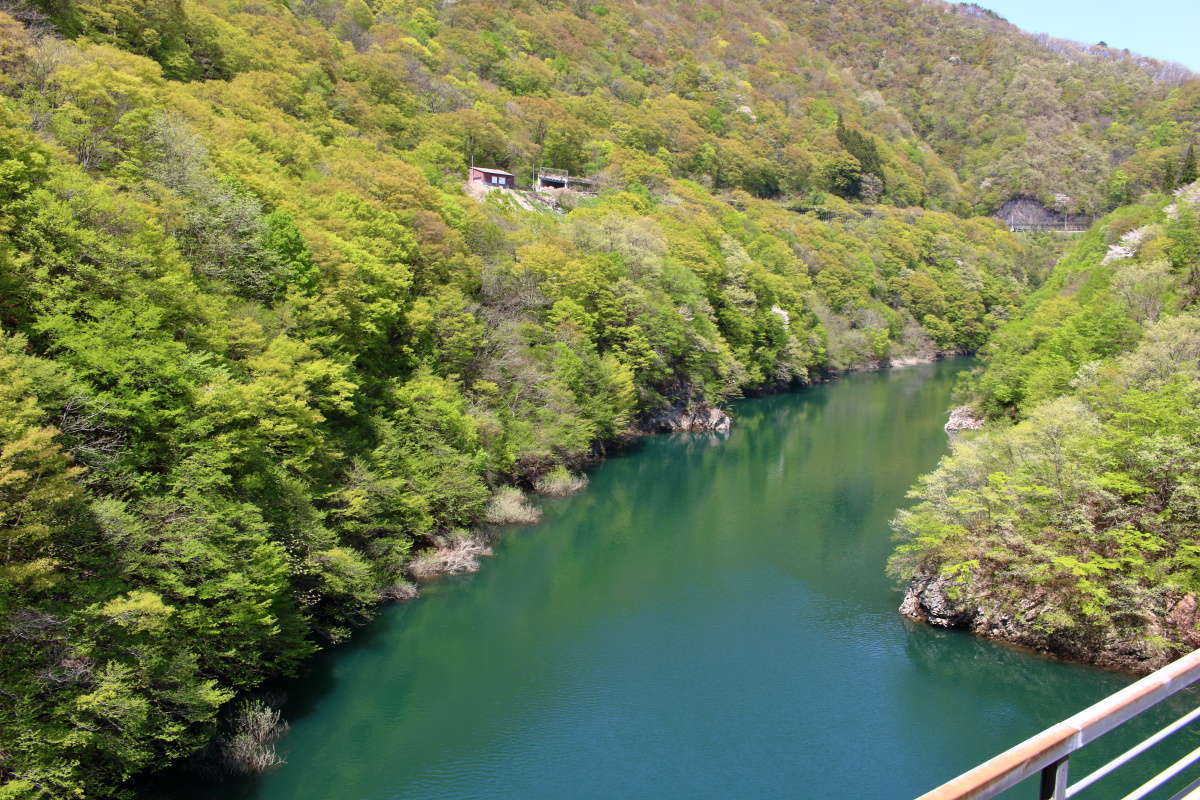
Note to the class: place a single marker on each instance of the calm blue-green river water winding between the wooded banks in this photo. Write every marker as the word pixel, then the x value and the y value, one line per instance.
pixel 710 619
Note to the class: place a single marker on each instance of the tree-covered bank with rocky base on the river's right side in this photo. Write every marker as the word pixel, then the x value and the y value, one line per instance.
pixel 1071 524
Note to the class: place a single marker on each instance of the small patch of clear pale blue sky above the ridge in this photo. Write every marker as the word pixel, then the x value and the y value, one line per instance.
pixel 1163 29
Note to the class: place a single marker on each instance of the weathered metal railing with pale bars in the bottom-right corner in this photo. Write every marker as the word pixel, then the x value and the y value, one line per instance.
pixel 1048 753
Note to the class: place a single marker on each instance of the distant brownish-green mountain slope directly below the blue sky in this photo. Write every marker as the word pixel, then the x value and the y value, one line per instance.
pixel 1081 128
